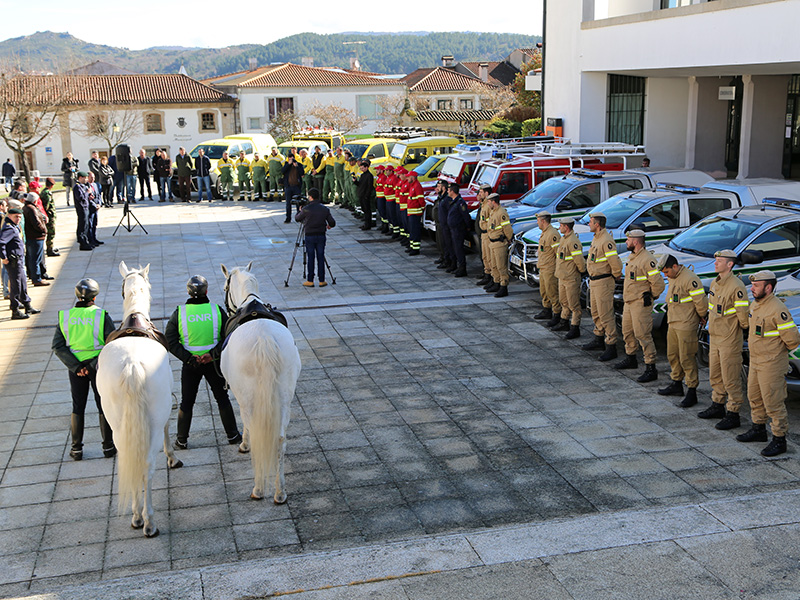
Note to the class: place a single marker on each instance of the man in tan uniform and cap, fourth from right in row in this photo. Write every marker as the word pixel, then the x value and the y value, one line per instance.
pixel 643 283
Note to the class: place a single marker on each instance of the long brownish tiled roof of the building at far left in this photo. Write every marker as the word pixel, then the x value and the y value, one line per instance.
pixel 87 90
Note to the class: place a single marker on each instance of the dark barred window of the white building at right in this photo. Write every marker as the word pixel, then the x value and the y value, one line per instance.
pixel 625 118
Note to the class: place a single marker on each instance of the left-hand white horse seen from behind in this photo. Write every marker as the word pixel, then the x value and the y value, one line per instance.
pixel 135 384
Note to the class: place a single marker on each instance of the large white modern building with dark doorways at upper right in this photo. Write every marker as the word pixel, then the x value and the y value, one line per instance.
pixel 713 85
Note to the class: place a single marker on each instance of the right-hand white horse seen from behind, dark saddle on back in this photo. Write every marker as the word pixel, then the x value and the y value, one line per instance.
pixel 261 364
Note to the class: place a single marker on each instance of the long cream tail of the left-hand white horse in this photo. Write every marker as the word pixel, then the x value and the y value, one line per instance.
pixel 133 441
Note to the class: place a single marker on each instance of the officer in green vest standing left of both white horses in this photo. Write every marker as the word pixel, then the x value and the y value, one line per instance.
pixel 77 342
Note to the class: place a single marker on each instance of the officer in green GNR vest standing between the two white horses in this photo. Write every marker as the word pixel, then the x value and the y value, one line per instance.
pixel 194 334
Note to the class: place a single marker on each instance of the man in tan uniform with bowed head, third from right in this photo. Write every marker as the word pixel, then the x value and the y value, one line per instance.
pixel 687 307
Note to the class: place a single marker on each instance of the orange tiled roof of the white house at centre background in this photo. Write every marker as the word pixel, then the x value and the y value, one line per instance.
pixel 291 75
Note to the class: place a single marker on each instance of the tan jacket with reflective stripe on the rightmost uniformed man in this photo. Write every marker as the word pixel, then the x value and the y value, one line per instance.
pixel 772 333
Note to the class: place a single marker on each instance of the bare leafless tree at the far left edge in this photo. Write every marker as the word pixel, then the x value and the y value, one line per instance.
pixel 31 107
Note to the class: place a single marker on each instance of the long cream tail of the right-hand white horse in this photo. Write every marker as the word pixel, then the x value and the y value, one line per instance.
pixel 265 367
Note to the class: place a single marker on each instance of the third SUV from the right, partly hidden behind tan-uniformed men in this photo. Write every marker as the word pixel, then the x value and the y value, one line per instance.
pixel 662 213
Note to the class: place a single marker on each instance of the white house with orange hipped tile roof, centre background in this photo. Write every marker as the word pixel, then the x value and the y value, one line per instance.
pixel 264 92
